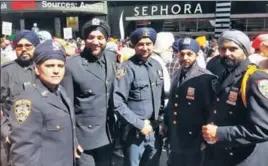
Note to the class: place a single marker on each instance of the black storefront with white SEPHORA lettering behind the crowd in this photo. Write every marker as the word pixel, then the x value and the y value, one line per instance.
pixel 190 18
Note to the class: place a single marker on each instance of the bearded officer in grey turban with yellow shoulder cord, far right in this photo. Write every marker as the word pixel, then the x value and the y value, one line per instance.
pixel 237 135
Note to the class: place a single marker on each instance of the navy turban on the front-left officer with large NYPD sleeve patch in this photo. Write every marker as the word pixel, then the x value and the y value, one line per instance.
pixel 49 50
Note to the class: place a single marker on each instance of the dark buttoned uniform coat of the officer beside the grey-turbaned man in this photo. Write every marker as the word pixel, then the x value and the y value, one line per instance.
pixel 189 104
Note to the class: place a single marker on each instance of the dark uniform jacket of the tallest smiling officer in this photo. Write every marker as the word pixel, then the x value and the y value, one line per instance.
pixel 89 84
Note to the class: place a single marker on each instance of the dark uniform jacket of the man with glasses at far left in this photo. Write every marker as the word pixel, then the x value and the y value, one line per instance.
pixel 13 75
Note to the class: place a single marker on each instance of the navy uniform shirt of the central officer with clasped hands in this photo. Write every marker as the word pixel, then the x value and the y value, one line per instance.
pixel 139 91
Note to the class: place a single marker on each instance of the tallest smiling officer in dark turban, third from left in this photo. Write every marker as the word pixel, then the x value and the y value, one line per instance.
pixel 89 84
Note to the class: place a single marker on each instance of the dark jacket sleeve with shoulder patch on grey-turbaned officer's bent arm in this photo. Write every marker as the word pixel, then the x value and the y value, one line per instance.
pixel 256 128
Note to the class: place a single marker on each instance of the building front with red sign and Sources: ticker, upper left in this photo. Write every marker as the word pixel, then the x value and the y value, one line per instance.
pixel 52 16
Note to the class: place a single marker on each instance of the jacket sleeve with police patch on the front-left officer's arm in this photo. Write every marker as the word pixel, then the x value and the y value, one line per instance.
pixel 25 136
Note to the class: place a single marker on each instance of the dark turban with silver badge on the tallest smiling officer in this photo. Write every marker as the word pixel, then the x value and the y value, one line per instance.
pixel 96 24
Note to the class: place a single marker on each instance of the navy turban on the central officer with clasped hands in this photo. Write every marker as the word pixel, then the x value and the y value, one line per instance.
pixel 140 33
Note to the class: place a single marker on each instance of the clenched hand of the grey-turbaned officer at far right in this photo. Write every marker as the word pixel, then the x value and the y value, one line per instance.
pixel 210 133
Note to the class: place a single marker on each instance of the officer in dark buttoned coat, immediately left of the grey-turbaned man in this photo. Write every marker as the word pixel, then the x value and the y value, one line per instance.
pixel 188 105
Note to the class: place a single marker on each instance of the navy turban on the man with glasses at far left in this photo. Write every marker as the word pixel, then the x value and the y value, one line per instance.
pixel 29 35
